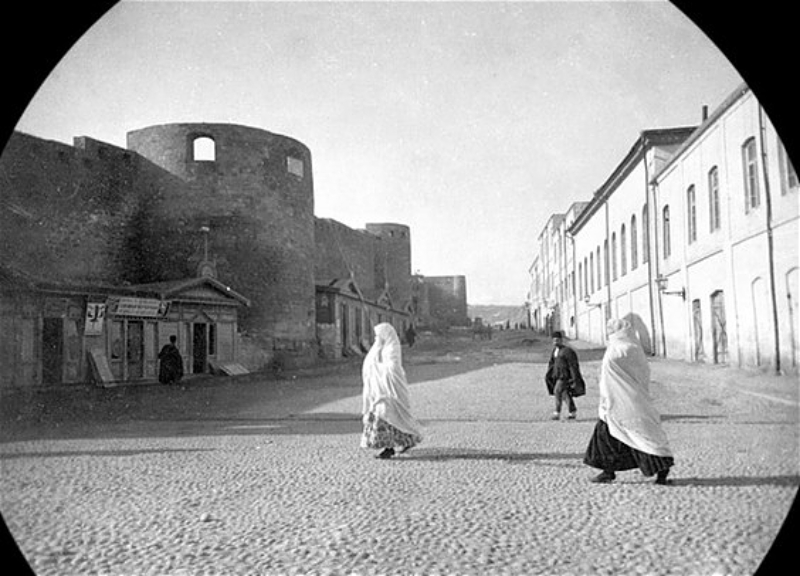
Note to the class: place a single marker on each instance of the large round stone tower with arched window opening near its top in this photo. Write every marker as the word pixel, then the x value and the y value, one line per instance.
pixel 247 204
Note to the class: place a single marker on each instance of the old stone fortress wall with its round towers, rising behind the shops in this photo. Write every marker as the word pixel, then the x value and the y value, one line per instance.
pixel 222 201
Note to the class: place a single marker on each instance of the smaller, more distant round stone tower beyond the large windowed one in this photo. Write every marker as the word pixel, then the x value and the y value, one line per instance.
pixel 393 260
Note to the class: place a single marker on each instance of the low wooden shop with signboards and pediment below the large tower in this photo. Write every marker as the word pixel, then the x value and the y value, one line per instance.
pixel 54 334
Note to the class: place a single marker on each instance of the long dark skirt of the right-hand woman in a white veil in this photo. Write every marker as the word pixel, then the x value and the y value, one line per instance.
pixel 608 453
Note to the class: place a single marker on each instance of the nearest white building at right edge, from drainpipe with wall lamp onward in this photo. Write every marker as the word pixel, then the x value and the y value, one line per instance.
pixel 727 206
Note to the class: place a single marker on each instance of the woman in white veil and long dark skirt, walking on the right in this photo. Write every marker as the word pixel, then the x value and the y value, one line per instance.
pixel 628 434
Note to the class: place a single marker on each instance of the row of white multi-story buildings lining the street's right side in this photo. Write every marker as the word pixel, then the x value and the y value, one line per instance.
pixel 694 238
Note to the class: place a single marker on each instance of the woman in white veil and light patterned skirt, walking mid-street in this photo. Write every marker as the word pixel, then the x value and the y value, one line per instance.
pixel 386 408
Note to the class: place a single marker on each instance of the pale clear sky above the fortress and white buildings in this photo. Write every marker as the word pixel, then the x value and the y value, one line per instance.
pixel 470 122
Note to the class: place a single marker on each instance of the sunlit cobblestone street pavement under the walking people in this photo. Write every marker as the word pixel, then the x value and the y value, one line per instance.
pixel 276 484
